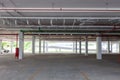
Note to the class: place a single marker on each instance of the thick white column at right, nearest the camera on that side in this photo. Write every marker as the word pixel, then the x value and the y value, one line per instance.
pixel 99 49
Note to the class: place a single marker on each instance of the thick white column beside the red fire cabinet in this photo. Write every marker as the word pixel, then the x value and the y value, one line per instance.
pixel 21 45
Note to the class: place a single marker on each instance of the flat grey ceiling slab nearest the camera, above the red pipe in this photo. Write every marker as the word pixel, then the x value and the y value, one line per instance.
pixel 63 3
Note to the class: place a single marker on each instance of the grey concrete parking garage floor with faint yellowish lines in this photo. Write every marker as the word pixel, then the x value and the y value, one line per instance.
pixel 59 67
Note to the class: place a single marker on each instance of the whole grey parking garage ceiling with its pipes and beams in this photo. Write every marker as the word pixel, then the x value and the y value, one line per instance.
pixel 109 10
